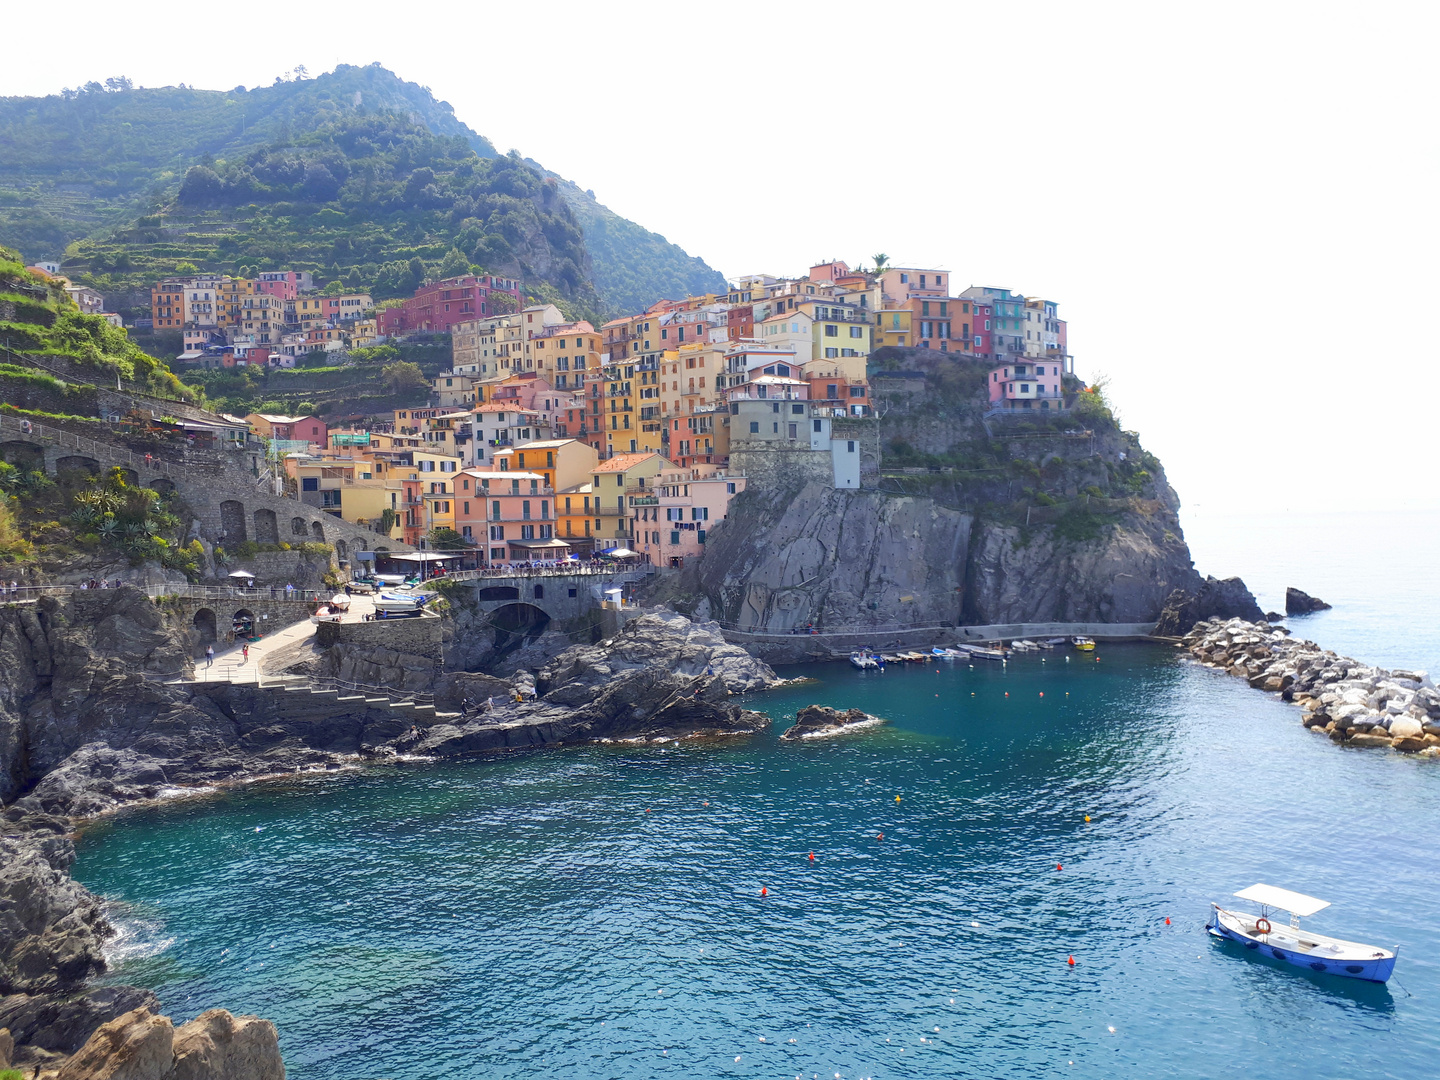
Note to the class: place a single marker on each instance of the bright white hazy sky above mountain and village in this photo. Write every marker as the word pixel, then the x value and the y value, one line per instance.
pixel 1233 204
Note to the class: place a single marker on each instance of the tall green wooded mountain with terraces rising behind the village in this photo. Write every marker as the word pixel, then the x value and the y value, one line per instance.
pixel 326 175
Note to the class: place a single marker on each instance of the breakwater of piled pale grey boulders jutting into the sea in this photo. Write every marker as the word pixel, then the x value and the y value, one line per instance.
pixel 1353 703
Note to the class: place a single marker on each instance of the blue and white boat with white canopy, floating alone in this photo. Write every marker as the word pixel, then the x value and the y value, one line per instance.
pixel 1297 947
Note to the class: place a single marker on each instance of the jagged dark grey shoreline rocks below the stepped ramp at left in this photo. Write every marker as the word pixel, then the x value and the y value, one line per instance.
pixel 86 732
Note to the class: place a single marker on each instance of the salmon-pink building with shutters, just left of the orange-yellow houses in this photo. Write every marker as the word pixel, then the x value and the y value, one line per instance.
pixel 509 518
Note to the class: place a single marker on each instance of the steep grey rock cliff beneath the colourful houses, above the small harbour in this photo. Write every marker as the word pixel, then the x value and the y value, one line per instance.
pixel 967 522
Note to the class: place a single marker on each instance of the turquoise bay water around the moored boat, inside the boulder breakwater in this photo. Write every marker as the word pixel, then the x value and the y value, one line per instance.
pixel 597 912
